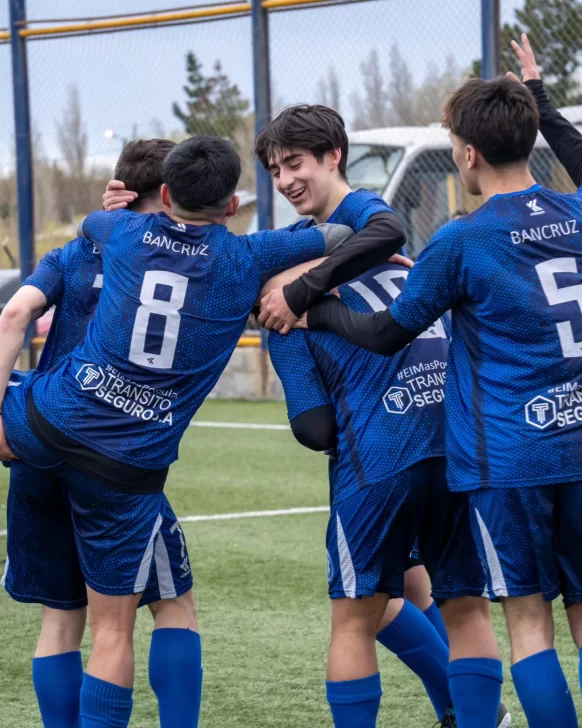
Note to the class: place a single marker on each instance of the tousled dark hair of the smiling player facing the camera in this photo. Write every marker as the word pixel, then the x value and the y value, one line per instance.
pixel 317 128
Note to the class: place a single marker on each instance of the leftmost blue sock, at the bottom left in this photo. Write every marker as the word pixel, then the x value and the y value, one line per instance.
pixel 57 681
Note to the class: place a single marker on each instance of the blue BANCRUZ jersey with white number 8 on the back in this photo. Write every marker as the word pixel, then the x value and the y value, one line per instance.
pixel 176 302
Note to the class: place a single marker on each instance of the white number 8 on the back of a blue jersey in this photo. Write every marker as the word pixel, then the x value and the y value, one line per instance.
pixel 169 310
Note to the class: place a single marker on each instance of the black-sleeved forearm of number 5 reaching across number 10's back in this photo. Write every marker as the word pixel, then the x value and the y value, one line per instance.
pixel 377 332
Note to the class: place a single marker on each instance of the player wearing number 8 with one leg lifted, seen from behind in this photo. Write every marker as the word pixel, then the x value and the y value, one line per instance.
pixel 178 290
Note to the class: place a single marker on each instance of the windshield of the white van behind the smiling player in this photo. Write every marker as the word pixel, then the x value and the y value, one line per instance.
pixel 372 166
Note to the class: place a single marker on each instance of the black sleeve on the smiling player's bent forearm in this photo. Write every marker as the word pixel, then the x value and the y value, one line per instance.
pixel 382 237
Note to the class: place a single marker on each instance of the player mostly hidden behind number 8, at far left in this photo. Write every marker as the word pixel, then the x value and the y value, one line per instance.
pixel 43 565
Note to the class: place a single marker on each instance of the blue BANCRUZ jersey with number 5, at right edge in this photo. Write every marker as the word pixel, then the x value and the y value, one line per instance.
pixel 510 273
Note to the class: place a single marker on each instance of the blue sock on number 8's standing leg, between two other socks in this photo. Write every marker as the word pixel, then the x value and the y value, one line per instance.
pixel 104 705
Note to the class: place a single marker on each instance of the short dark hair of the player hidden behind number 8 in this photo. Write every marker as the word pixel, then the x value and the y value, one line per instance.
pixel 140 166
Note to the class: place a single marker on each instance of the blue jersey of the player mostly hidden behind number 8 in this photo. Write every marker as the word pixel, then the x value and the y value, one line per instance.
pixel 71 278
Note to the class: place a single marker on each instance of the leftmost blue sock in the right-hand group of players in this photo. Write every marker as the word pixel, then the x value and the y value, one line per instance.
pixel 355 703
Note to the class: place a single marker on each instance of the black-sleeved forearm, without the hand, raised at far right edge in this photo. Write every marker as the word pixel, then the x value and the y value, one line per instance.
pixel 564 139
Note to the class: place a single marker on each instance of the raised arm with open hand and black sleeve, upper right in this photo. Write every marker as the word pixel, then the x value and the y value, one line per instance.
pixel 564 139
